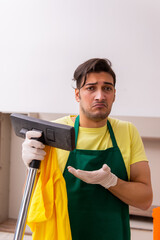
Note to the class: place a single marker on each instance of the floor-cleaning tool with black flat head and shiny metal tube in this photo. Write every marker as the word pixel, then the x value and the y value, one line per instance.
pixel 53 134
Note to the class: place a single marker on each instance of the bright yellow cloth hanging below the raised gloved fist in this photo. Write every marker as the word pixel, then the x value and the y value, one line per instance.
pixel 48 214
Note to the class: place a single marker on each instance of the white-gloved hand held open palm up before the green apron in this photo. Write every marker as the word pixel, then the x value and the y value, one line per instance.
pixel 103 176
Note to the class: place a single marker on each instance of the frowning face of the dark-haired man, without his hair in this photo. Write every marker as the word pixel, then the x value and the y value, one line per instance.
pixel 96 96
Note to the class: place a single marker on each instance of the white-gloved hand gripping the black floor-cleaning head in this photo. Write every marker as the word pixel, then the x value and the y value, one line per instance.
pixel 32 149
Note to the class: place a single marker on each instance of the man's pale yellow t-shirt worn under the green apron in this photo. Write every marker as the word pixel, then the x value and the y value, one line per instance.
pixel 126 134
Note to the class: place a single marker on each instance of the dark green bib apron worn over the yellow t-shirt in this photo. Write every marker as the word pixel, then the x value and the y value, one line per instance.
pixel 94 212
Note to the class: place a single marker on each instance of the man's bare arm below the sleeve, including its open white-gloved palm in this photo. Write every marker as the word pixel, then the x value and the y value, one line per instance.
pixel 137 192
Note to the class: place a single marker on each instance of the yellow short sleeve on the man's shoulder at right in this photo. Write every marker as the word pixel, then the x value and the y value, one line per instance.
pixel 137 148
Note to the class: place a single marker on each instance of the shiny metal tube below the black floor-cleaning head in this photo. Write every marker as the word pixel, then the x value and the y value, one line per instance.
pixel 21 222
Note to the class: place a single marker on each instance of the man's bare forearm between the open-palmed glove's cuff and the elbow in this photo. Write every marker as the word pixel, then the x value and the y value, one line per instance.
pixel 136 194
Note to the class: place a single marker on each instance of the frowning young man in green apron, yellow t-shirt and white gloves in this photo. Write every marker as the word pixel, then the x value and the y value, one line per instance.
pixel 108 170
